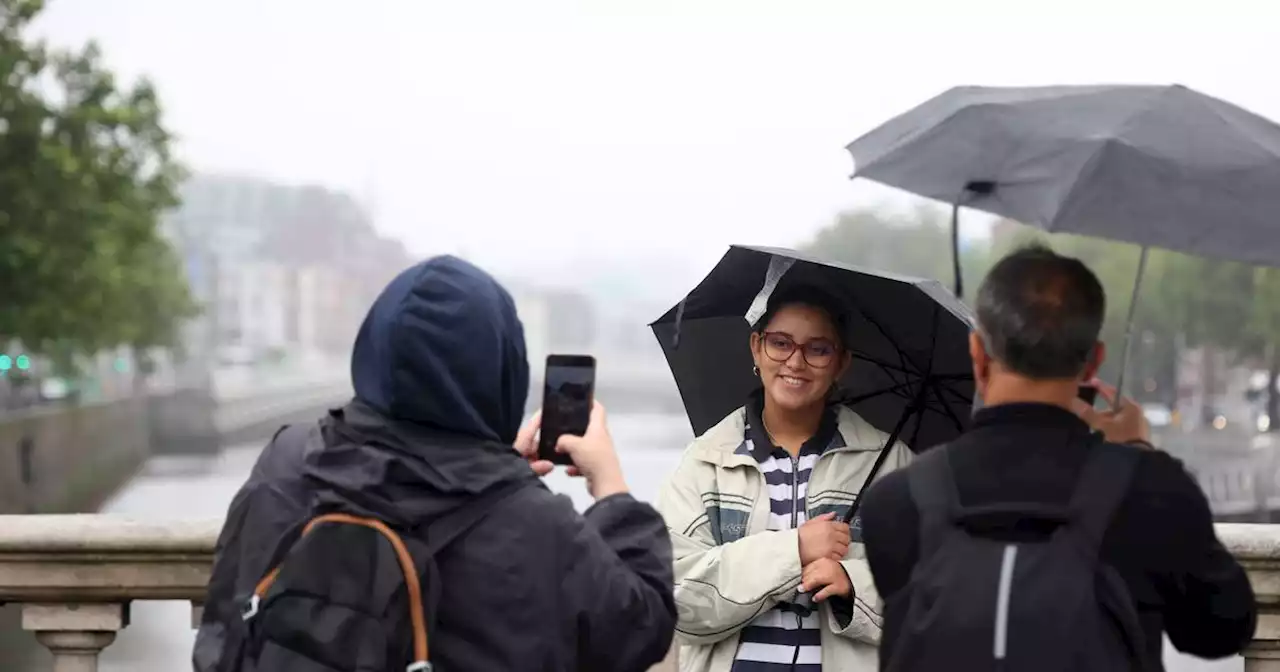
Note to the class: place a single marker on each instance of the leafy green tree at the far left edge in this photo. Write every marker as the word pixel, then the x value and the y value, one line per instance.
pixel 85 175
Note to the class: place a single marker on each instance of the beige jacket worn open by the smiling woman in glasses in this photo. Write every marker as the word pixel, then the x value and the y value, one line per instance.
pixel 730 568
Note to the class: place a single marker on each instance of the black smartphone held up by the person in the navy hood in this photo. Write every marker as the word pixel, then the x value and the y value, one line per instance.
pixel 569 392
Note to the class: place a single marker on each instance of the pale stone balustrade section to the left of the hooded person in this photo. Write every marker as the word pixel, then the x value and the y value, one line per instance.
pixel 76 575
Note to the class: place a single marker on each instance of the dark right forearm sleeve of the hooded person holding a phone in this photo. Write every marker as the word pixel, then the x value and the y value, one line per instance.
pixel 621 583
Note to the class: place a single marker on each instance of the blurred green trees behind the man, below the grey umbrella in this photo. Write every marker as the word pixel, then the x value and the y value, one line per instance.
pixel 1223 305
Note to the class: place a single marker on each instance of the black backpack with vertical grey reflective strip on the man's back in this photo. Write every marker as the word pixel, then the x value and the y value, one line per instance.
pixel 980 605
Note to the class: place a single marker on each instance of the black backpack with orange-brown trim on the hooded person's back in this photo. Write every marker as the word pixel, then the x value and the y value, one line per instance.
pixel 351 595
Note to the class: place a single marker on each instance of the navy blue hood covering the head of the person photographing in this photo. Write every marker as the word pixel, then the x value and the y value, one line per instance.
pixel 444 349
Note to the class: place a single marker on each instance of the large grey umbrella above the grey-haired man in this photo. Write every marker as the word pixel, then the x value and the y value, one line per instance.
pixel 1155 166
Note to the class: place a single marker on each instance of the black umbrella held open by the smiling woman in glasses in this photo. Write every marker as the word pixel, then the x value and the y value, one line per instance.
pixel 912 376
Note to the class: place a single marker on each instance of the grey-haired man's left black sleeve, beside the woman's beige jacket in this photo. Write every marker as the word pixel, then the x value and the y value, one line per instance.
pixel 890 533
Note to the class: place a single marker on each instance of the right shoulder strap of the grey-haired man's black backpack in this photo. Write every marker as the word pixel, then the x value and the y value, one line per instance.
pixel 1101 487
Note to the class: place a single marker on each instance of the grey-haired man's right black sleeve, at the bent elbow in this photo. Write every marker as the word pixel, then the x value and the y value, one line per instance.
pixel 1210 610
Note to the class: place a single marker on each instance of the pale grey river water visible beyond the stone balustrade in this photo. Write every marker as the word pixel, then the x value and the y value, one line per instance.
pixel 159 638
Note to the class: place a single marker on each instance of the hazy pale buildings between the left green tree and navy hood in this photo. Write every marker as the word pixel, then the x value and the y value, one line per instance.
pixel 282 272
